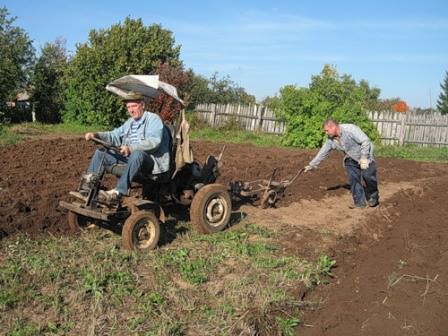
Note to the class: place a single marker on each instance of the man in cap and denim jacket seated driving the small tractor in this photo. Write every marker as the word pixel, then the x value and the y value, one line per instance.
pixel 143 143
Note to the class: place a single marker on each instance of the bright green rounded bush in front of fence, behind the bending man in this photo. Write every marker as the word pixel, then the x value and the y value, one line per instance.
pixel 328 95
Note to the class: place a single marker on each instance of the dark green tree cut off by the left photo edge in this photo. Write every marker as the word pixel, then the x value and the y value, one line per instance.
pixel 16 58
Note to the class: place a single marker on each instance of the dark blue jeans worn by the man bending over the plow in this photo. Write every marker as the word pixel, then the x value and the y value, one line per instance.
pixel 359 192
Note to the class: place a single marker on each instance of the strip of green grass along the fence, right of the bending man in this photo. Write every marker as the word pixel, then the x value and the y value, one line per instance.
pixel 411 152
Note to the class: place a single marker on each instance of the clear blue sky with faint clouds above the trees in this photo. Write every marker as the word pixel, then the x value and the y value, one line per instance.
pixel 399 46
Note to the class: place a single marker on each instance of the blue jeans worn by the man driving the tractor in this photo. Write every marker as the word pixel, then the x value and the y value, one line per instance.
pixel 138 161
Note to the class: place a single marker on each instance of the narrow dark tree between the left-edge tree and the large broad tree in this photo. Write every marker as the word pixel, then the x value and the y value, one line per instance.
pixel 47 92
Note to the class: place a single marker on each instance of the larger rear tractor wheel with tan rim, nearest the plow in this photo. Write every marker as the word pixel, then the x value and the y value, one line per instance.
pixel 211 208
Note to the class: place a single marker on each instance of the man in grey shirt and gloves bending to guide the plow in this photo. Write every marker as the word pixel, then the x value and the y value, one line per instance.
pixel 358 161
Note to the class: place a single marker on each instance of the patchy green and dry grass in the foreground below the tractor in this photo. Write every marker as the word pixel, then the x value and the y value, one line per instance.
pixel 201 283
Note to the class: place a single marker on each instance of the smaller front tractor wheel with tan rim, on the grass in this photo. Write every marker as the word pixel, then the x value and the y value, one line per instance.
pixel 141 231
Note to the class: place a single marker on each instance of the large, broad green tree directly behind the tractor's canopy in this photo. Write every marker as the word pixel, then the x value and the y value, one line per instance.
pixel 123 49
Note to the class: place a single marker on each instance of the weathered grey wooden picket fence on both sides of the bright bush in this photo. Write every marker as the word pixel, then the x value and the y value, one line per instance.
pixel 394 128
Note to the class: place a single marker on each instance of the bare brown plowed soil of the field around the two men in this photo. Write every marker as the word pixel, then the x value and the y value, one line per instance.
pixel 391 276
